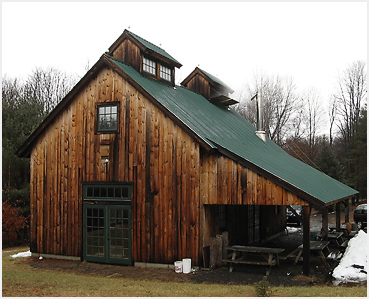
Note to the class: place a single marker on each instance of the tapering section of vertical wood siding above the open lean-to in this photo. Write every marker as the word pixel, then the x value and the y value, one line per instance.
pixel 224 181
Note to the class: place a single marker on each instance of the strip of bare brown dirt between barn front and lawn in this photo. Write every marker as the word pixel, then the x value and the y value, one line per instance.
pixel 286 274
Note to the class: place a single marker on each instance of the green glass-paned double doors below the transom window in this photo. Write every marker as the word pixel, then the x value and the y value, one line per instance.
pixel 107 234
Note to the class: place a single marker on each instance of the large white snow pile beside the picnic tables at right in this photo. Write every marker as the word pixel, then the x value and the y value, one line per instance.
pixel 353 265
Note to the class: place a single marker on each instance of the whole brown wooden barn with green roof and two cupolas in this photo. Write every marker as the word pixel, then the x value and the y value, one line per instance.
pixel 130 167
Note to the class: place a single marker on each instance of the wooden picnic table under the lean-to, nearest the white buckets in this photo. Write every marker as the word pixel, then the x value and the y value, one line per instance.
pixel 252 255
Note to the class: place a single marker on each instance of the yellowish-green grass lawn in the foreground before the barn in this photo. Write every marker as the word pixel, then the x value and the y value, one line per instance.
pixel 20 279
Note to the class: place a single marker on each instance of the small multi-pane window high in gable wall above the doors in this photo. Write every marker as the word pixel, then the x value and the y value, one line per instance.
pixel 107 118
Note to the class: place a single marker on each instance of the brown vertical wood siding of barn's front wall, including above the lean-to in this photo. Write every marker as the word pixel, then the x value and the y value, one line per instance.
pixel 171 179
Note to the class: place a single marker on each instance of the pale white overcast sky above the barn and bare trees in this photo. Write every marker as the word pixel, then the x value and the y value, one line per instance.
pixel 310 42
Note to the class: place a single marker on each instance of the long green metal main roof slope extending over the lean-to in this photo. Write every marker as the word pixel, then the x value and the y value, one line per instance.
pixel 223 127
